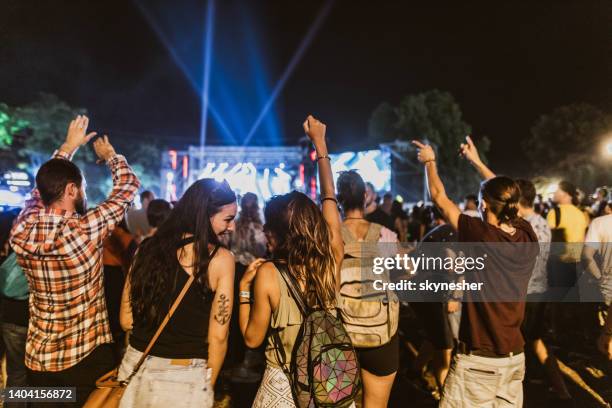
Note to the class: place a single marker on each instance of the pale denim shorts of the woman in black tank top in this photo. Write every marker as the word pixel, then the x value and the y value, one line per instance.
pixel 162 382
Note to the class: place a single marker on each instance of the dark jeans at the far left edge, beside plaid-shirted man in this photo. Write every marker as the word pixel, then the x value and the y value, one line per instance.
pixel 14 337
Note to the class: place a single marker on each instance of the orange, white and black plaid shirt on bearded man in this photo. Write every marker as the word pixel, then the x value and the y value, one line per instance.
pixel 61 254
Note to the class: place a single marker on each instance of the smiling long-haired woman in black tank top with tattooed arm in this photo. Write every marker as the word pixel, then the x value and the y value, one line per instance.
pixel 183 366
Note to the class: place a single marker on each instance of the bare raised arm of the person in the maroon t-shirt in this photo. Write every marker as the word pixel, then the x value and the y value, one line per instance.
pixel 449 210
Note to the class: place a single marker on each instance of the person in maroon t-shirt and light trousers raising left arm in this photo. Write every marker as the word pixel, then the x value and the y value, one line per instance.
pixel 491 344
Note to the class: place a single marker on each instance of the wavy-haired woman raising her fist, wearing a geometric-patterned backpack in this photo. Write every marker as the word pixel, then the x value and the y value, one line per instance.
pixel 308 239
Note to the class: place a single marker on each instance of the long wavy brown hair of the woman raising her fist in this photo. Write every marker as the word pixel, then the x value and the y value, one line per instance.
pixel 303 240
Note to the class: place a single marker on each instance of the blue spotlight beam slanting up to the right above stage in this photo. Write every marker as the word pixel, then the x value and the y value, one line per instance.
pixel 295 59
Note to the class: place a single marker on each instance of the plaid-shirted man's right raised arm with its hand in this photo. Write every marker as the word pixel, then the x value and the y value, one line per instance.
pixel 100 221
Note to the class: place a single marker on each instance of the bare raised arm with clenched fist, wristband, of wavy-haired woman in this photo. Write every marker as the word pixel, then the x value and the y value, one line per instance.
pixel 315 130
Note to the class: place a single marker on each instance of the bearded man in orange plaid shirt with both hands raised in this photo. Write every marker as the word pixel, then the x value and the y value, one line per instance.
pixel 59 246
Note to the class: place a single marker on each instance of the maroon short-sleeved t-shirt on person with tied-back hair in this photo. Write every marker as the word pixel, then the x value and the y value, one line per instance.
pixel 496 325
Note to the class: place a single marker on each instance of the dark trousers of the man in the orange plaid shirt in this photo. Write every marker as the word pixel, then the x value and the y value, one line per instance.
pixel 83 376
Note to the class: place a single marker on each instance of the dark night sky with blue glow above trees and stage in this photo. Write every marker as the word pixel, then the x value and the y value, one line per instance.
pixel 505 63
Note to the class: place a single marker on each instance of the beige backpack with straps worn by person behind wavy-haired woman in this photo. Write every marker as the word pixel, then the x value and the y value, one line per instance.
pixel 370 316
